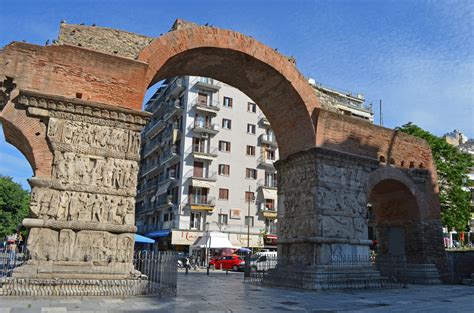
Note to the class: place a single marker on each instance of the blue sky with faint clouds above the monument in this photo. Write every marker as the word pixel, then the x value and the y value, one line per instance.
pixel 417 56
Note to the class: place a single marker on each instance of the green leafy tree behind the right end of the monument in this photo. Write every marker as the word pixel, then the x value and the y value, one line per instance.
pixel 452 167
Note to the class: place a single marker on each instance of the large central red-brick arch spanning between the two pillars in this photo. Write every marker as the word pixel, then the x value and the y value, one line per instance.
pixel 263 74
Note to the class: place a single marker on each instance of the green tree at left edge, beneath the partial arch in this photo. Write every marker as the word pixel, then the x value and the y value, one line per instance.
pixel 14 205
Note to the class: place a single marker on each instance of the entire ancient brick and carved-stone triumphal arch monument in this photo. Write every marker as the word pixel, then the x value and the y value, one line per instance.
pixel 74 110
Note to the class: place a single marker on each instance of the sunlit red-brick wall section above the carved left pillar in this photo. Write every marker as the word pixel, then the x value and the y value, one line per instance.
pixel 75 72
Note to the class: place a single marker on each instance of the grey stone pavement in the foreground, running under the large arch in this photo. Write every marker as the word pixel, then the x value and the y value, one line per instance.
pixel 219 292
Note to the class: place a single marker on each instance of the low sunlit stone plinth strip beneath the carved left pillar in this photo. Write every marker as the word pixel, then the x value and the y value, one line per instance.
pixel 81 287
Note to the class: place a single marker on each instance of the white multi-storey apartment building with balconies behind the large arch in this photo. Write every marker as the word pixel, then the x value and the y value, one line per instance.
pixel 207 164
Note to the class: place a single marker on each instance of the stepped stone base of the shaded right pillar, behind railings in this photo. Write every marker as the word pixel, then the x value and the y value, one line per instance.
pixel 326 277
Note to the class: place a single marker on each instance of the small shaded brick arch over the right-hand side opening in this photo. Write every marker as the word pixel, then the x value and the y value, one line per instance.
pixel 391 174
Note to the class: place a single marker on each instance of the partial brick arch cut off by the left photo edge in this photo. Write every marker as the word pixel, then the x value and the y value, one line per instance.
pixel 28 135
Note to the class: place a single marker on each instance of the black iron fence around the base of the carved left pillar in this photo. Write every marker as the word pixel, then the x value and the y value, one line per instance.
pixel 151 274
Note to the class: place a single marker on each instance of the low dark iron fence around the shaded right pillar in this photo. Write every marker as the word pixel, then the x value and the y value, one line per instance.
pixel 347 272
